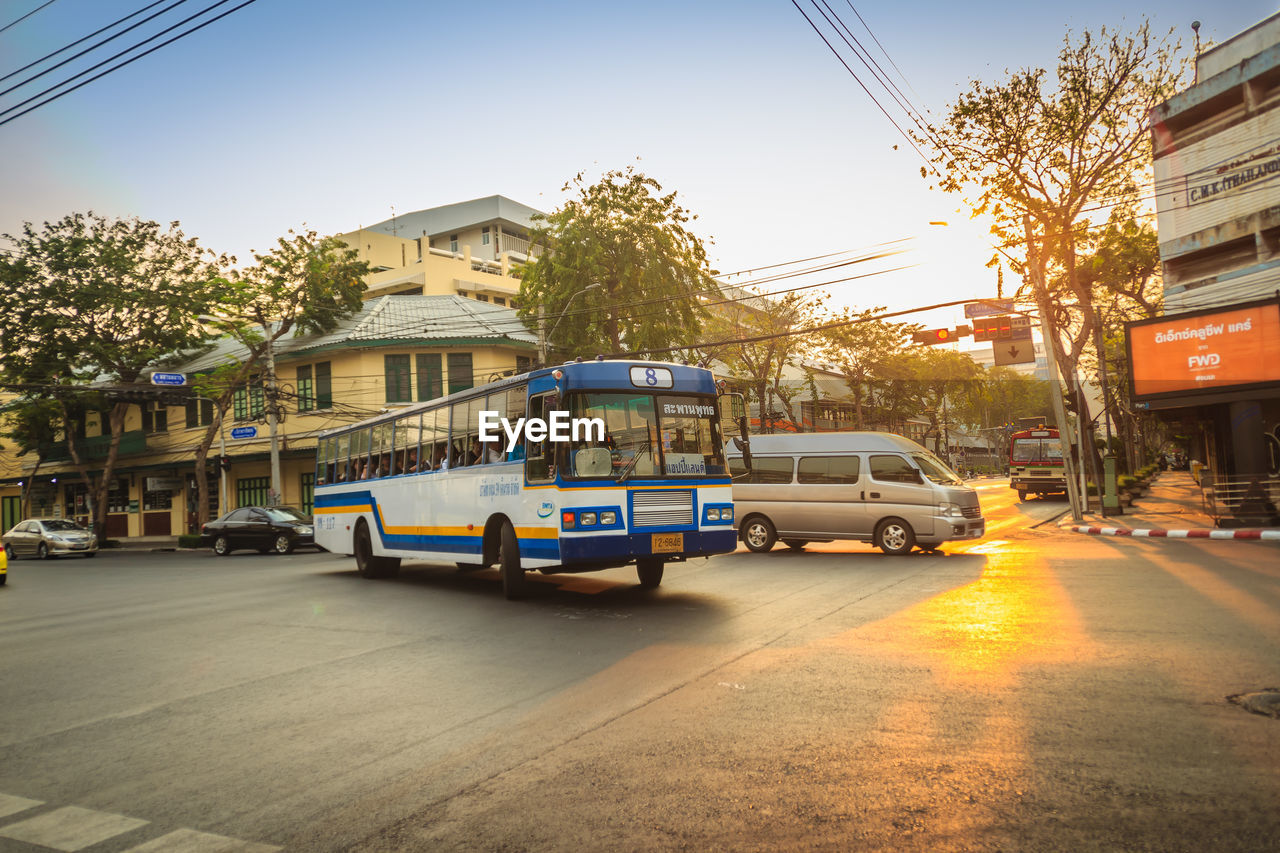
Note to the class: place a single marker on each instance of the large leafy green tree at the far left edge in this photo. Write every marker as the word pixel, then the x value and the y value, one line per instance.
pixel 90 304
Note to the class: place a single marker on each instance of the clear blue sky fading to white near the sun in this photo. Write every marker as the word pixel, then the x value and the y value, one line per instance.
pixel 331 115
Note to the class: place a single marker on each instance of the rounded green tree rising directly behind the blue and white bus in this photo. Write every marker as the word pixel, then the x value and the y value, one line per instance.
pixel 620 271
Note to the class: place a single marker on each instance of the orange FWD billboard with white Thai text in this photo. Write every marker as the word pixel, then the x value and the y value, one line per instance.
pixel 1206 352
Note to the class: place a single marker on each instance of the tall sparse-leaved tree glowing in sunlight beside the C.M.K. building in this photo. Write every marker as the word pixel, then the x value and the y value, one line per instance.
pixel 1048 156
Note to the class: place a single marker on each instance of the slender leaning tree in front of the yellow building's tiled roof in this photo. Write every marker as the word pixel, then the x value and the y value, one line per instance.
pixel 305 286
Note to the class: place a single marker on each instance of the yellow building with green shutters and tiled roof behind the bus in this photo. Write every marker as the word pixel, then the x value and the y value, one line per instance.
pixel 436 321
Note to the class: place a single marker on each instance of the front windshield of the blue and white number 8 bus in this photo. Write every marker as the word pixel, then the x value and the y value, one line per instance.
pixel 647 436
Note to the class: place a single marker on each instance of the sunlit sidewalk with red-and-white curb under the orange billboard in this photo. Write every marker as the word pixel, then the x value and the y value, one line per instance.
pixel 1172 509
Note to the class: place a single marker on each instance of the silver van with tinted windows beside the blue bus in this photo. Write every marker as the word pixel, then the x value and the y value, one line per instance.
pixel 877 487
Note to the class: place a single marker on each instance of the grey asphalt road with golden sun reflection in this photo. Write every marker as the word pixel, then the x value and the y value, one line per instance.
pixel 1032 691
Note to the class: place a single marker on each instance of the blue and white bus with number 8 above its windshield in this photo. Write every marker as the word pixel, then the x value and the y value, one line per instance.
pixel 648 485
